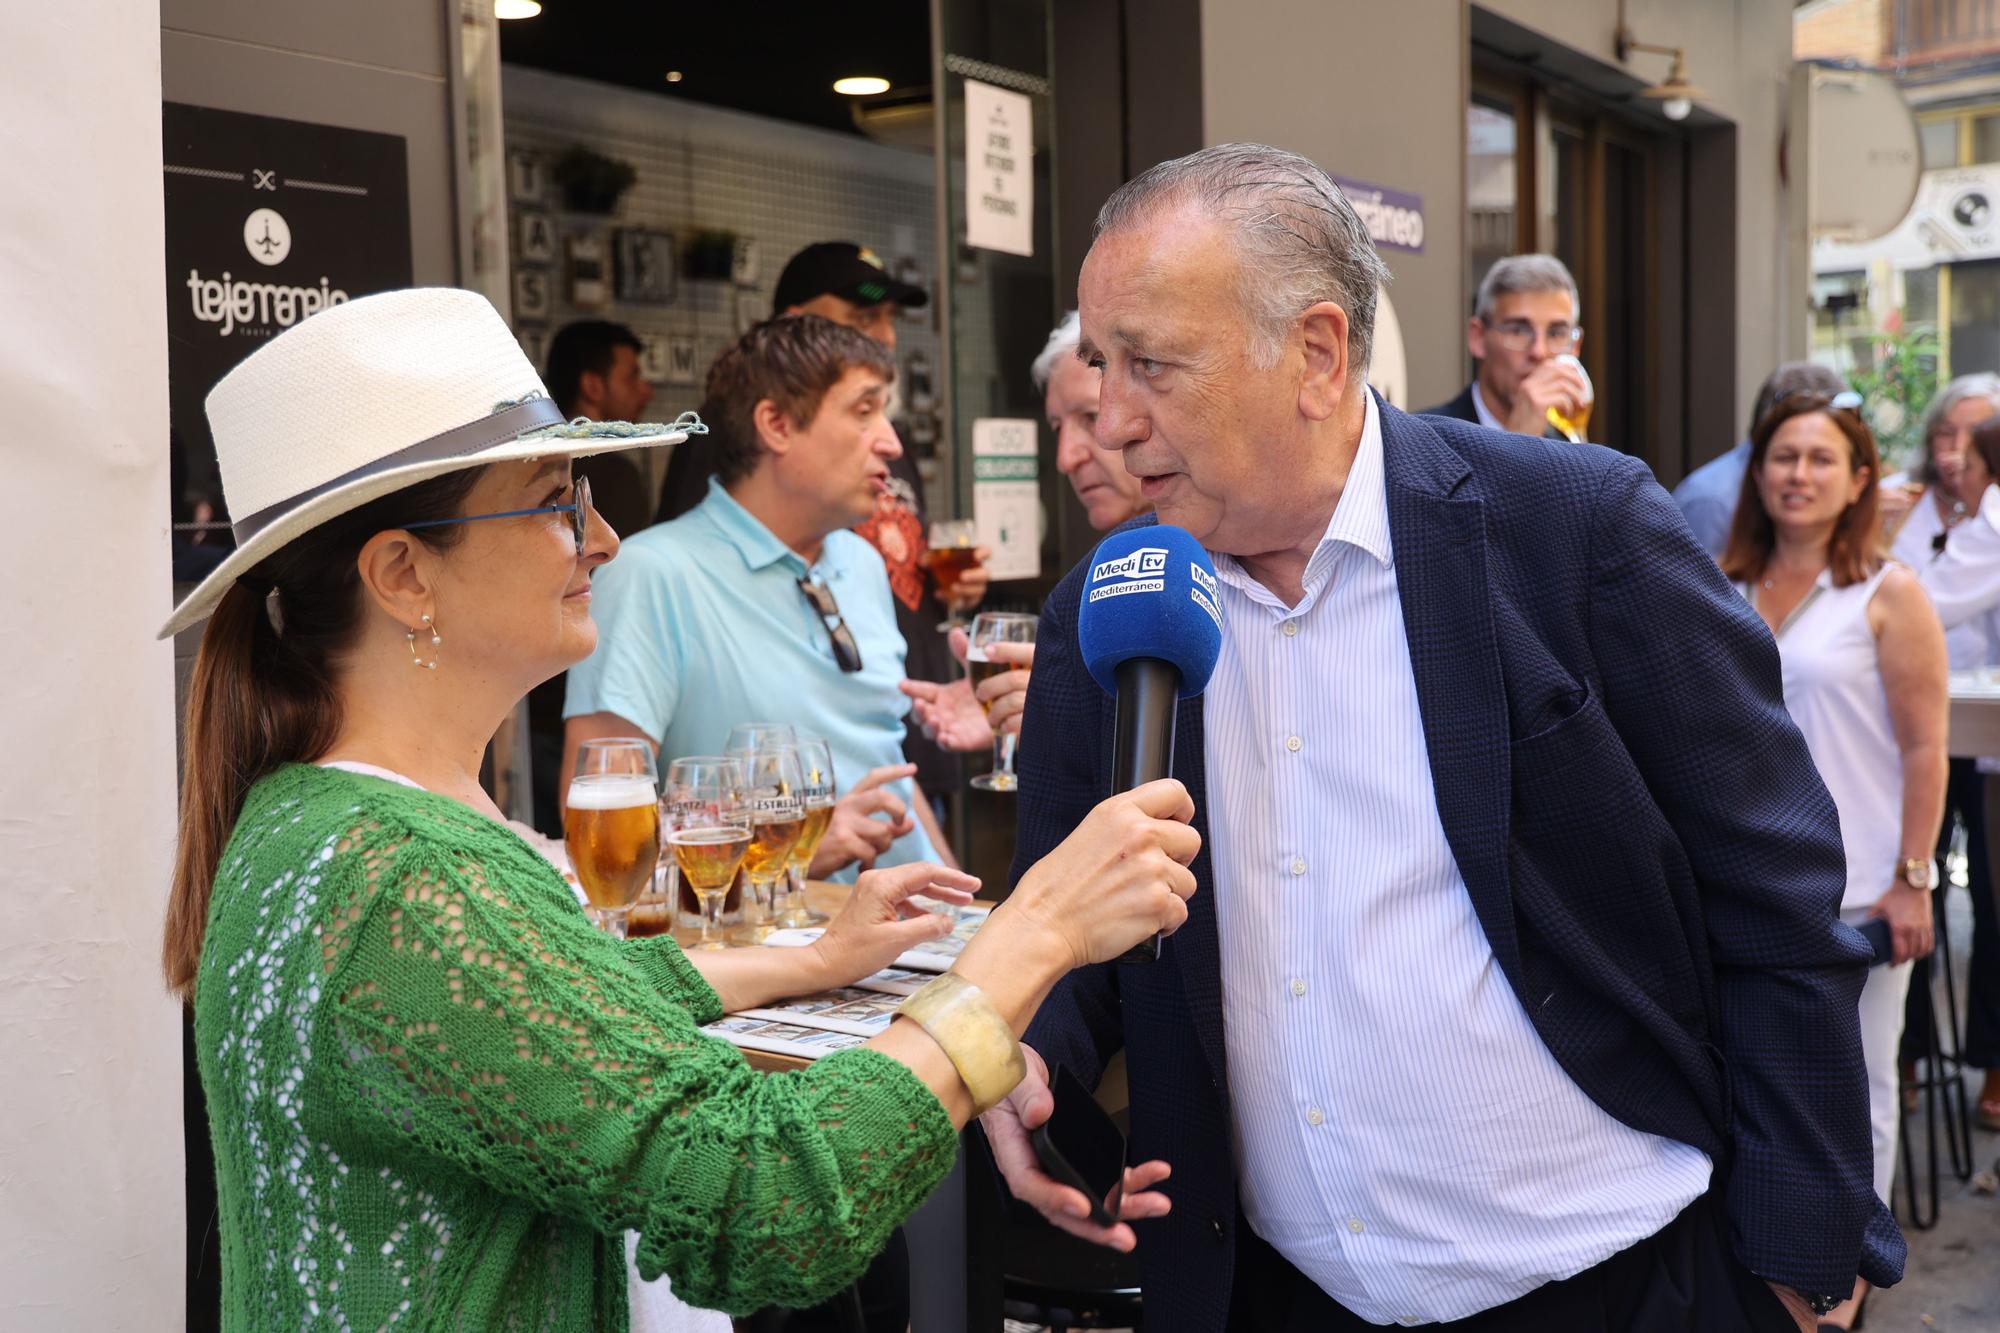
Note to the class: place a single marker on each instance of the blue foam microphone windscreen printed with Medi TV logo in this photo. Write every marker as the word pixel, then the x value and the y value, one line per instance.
pixel 1151 593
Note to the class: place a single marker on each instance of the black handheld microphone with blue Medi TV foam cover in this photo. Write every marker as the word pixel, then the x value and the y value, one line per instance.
pixel 1149 631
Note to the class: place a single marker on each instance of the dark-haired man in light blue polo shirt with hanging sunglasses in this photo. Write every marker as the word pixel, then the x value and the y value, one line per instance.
pixel 711 621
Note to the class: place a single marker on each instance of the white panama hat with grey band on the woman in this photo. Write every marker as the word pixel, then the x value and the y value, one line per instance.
pixel 371 397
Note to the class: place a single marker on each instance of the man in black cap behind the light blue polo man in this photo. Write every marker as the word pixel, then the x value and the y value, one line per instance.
pixel 849 285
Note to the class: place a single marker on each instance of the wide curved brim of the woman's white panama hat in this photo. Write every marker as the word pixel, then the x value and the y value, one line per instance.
pixel 569 441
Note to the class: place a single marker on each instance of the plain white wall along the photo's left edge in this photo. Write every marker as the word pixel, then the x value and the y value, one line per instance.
pixel 91 1176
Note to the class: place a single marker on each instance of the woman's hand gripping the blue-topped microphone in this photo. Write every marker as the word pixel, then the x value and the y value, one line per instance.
pixel 1119 878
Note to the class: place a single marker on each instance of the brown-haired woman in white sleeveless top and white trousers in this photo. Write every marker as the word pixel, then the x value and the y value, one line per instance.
pixel 1865 678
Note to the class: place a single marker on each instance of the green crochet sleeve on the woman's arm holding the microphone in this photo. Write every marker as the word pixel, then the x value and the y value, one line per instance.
pixel 473 1016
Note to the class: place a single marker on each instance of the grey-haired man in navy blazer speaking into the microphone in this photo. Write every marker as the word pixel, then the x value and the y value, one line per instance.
pixel 1515 992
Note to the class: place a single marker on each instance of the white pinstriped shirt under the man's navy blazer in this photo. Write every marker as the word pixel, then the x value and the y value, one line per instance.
pixel 1403 1136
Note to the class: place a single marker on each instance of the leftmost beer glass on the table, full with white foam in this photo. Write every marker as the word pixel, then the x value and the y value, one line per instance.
pixel 611 826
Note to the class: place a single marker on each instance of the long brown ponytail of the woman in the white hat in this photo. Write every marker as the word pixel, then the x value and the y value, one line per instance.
pixel 263 696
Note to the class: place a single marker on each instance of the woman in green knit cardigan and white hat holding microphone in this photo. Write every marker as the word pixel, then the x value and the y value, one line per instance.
pixel 439 1098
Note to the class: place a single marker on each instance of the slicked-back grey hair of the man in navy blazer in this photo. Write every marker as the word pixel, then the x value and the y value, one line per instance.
pixel 1297 235
